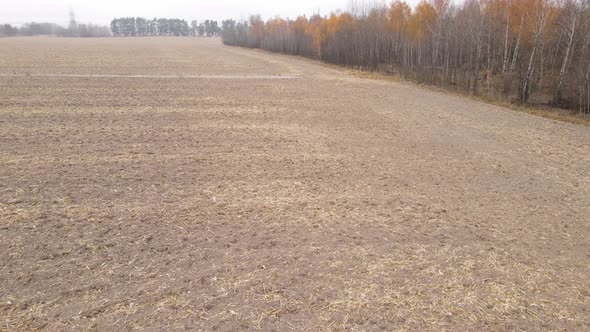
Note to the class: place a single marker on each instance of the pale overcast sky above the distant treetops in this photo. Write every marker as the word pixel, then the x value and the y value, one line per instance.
pixel 102 11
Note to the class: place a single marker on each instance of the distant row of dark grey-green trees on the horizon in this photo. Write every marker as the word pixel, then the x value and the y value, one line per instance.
pixel 139 26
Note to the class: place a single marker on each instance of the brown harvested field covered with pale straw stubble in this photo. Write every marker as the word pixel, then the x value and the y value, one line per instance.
pixel 244 191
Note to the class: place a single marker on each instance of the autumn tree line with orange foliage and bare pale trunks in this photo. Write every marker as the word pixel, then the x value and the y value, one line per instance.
pixel 529 51
